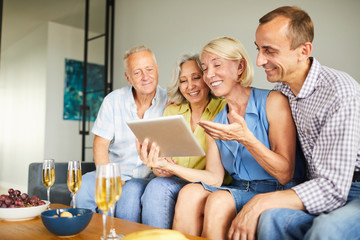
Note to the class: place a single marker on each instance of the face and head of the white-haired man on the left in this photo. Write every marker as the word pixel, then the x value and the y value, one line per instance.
pixel 142 72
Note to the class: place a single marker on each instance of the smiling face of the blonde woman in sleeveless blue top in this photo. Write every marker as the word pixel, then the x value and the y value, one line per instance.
pixel 220 74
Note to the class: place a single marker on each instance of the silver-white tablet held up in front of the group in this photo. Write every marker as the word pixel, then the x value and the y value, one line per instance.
pixel 171 133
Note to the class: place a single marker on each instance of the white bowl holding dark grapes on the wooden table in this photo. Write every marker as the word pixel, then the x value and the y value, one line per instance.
pixel 23 213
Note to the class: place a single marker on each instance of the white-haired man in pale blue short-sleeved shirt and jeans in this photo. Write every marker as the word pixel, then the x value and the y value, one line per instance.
pixel 114 141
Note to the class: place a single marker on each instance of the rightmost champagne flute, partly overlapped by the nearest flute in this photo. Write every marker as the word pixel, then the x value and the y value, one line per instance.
pixel 118 187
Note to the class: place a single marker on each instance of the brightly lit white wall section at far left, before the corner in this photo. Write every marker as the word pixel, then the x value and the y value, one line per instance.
pixel 23 83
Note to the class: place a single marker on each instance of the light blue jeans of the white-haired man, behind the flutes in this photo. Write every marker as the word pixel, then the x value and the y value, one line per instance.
pixel 129 205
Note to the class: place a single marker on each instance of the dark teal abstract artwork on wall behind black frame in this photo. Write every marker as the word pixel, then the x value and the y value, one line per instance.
pixel 73 94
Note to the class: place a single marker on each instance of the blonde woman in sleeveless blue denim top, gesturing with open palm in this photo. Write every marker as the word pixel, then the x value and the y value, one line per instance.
pixel 253 138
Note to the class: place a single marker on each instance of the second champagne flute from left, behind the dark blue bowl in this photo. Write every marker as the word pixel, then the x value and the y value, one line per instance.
pixel 74 179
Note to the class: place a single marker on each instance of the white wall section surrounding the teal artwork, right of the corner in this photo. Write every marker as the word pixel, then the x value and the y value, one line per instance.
pixel 62 139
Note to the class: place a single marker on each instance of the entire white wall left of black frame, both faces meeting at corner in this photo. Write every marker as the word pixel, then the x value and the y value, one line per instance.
pixel 32 88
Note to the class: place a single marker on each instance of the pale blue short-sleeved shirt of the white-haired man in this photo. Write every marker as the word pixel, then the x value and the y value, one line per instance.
pixel 117 108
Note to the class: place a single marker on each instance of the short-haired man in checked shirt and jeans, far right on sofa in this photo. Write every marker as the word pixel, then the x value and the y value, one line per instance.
pixel 325 105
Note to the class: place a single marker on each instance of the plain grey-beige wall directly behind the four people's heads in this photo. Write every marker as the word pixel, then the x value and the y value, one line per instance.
pixel 172 27
